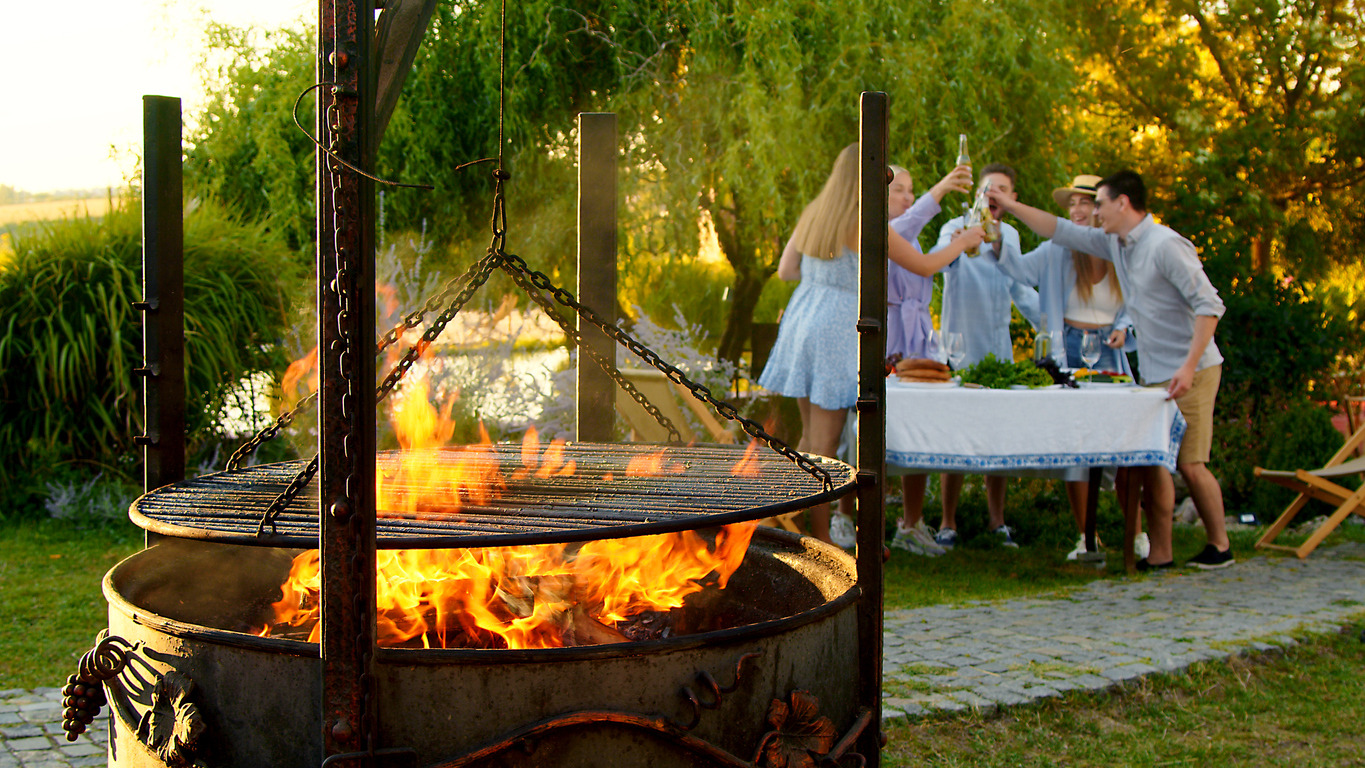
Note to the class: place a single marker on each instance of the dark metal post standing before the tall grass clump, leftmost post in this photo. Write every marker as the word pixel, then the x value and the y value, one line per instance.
pixel 163 294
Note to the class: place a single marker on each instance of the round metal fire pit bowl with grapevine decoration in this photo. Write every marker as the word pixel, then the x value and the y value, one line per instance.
pixel 693 700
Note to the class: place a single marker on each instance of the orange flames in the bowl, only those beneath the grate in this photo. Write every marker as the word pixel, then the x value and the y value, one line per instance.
pixel 544 597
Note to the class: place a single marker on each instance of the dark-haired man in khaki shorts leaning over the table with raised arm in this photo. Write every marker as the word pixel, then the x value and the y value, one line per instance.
pixel 1176 313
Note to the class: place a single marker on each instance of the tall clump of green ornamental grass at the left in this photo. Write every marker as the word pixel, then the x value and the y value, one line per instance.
pixel 72 339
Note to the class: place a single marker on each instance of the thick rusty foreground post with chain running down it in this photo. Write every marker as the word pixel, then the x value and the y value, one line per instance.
pixel 346 354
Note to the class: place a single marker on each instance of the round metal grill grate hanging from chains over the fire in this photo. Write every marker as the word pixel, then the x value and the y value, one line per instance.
pixel 599 501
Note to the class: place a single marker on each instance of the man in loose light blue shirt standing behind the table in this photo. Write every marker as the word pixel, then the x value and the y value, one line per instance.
pixel 977 304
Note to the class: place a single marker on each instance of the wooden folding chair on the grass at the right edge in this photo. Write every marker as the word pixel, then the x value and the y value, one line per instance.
pixel 1318 485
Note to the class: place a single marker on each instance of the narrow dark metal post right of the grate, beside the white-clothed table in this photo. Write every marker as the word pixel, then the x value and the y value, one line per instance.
pixel 872 413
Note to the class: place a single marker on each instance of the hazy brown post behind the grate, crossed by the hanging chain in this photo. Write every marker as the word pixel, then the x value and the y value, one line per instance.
pixel 597 271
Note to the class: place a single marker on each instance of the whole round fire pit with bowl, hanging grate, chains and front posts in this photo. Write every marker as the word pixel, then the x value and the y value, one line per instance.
pixel 783 666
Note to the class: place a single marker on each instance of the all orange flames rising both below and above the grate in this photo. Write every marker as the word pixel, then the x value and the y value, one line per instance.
pixel 536 597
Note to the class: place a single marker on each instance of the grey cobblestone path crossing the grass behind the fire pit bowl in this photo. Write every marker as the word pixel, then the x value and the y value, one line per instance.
pixel 982 657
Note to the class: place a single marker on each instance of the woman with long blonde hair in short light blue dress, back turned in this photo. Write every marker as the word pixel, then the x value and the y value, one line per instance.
pixel 816 355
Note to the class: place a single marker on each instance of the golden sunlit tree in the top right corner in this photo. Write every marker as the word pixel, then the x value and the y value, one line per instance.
pixel 1247 117
